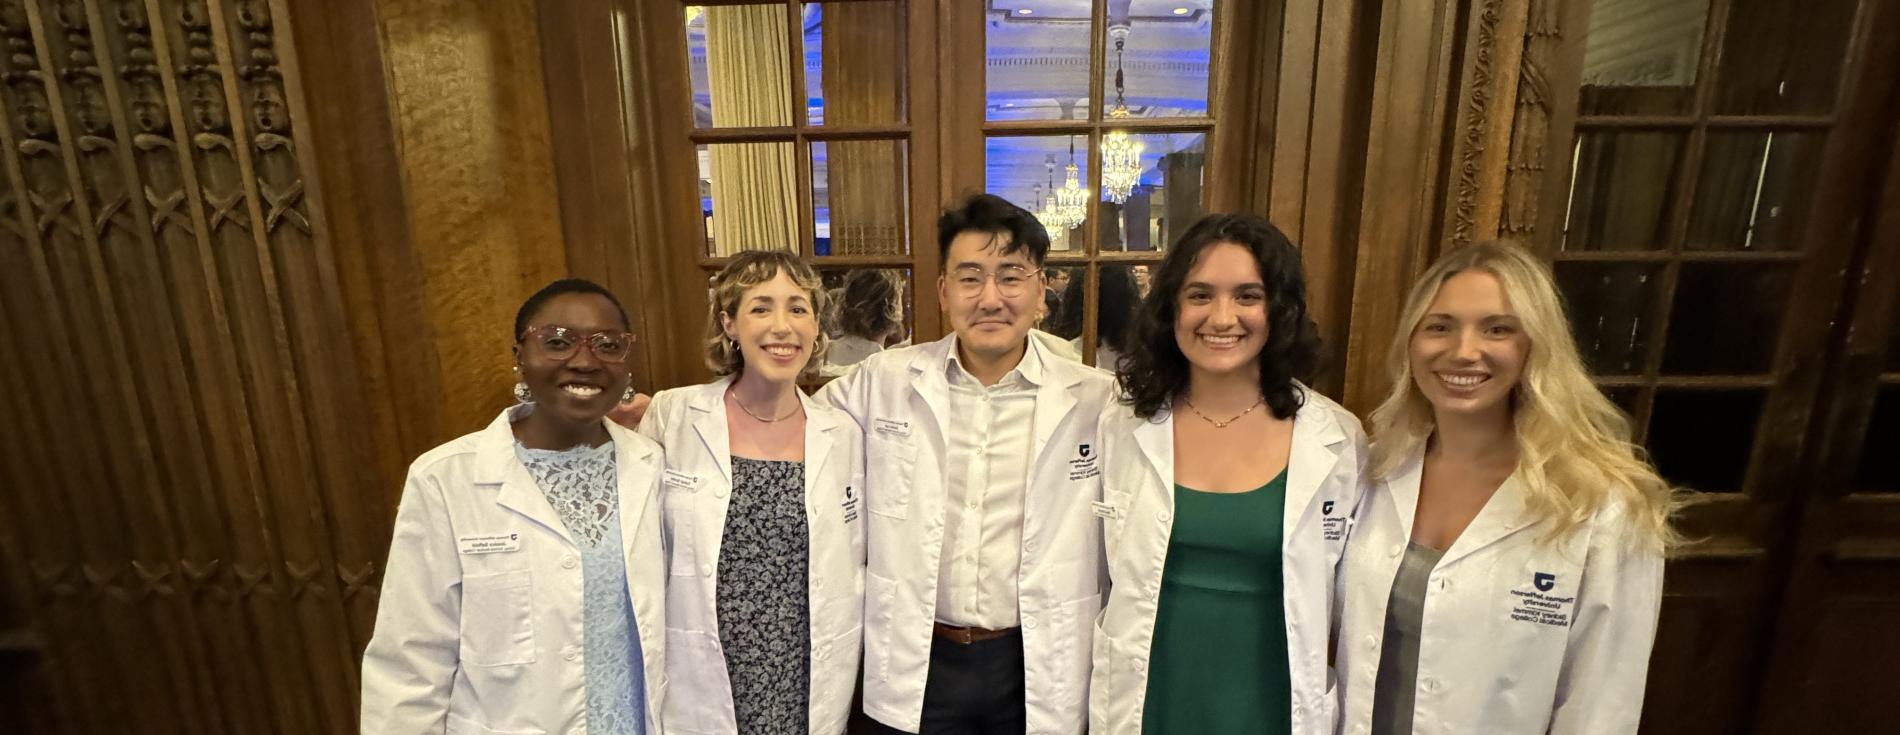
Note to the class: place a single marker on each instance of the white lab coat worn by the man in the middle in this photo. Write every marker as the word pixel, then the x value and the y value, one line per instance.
pixel 902 400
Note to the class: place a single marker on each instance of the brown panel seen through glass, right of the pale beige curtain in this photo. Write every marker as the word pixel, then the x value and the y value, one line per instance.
pixel 864 86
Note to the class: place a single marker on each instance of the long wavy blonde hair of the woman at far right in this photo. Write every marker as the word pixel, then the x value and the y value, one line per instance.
pixel 1576 457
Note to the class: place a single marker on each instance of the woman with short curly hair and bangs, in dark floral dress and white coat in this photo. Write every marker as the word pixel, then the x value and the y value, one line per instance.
pixel 763 523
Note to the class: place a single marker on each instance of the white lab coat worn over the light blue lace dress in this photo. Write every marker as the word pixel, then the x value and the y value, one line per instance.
pixel 480 626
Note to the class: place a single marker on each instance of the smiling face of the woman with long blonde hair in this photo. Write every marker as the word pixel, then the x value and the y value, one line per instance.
pixel 1470 350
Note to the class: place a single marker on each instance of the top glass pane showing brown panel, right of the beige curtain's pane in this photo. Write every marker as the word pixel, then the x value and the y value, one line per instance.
pixel 856 64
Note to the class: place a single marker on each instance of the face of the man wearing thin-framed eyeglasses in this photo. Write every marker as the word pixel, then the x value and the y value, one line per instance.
pixel 993 299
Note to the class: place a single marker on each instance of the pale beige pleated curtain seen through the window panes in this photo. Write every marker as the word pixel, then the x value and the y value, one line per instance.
pixel 755 185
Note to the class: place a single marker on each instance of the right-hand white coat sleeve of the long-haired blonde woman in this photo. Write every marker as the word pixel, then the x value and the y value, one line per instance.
pixel 1606 664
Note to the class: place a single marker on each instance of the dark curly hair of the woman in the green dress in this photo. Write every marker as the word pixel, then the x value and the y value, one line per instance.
pixel 1156 371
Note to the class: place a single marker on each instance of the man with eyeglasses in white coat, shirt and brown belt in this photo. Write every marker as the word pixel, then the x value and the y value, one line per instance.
pixel 983 575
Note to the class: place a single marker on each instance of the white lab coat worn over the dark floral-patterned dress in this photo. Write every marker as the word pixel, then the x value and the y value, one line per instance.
pixel 696 493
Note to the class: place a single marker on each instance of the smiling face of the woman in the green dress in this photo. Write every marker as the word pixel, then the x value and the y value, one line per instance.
pixel 1221 314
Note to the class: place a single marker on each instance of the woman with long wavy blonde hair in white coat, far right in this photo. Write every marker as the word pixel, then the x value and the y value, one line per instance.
pixel 1506 567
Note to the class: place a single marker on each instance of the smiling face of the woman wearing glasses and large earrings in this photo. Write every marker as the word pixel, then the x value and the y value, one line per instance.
pixel 580 388
